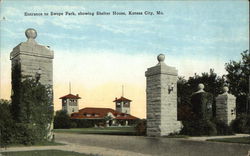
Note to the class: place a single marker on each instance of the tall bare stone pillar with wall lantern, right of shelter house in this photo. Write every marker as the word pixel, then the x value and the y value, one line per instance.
pixel 161 99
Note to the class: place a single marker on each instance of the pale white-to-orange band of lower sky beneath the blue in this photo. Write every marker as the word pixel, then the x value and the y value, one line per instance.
pixel 97 75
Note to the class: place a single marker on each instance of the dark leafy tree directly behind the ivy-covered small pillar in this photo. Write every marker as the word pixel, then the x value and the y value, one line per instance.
pixel 212 82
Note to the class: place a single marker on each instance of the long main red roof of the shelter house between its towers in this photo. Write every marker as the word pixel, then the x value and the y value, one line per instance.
pixel 100 113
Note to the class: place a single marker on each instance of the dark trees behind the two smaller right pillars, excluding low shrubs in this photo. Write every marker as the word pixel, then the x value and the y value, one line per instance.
pixel 237 79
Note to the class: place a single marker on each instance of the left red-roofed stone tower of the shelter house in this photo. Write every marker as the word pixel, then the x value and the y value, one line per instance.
pixel 70 103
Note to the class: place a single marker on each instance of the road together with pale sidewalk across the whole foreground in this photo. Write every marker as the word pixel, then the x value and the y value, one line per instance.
pixel 112 145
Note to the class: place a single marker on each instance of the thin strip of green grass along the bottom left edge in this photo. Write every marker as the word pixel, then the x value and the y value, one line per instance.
pixel 44 153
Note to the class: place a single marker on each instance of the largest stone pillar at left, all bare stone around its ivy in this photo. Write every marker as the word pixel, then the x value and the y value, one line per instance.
pixel 32 60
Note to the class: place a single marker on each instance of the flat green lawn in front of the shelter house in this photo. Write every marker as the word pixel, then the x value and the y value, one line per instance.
pixel 106 130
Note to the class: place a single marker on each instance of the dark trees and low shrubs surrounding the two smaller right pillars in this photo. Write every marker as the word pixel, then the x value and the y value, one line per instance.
pixel 237 79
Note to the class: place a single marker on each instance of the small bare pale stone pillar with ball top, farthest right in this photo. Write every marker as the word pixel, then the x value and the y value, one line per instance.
pixel 226 107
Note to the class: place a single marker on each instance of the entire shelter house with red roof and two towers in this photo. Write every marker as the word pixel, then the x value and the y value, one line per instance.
pixel 99 116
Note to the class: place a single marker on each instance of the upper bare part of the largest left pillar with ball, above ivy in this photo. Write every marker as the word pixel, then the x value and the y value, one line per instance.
pixel 34 60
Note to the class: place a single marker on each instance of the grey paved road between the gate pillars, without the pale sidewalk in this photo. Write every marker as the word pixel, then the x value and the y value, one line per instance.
pixel 156 146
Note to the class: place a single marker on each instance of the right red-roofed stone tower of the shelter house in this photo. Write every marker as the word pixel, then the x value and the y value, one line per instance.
pixel 122 105
